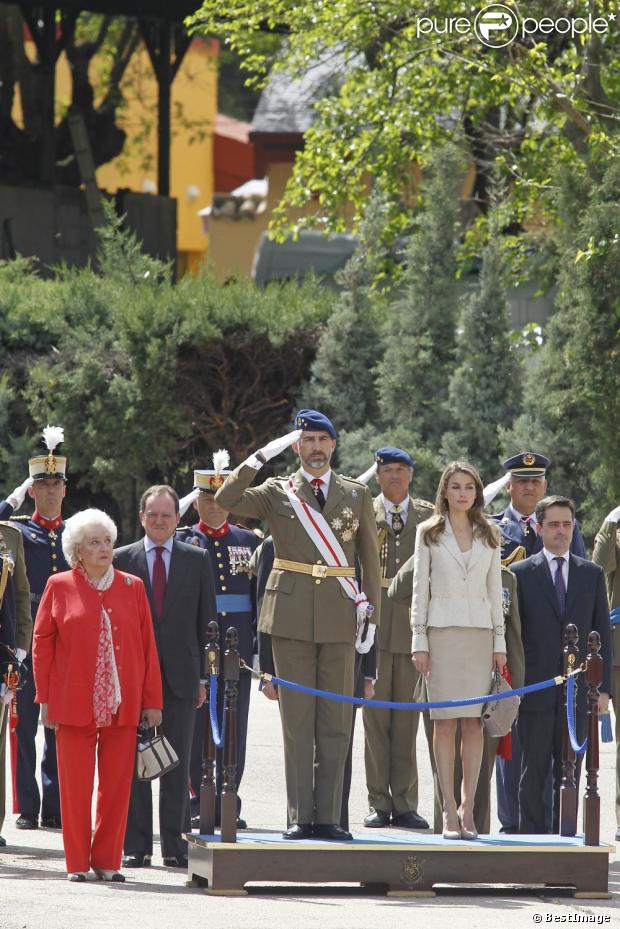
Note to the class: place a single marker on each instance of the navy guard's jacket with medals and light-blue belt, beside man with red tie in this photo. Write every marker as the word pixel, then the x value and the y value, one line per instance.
pixel 235 590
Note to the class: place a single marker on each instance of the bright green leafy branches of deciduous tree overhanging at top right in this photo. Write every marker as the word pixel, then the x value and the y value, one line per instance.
pixel 404 86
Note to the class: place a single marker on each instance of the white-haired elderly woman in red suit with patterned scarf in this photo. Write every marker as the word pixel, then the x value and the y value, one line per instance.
pixel 97 675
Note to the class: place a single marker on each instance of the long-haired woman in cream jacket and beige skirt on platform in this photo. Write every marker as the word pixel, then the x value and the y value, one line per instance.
pixel 458 629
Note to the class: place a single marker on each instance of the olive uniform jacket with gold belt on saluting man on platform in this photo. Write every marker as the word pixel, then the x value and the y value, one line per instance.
pixel 298 606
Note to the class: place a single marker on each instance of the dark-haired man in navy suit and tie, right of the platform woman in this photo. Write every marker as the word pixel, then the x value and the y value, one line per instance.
pixel 554 587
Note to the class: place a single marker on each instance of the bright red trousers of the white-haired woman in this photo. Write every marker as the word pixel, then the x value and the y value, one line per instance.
pixel 114 748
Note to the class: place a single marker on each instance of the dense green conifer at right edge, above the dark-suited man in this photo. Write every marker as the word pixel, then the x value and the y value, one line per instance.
pixel 571 406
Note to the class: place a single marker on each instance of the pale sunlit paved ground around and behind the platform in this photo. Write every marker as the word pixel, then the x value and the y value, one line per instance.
pixel 34 893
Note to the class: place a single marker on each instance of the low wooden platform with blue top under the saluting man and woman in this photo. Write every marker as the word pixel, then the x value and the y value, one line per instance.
pixel 406 864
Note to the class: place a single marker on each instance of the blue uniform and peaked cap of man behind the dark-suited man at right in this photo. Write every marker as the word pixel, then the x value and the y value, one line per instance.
pixel 519 540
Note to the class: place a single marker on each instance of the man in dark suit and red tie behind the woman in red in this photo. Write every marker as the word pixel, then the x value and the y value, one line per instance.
pixel 179 584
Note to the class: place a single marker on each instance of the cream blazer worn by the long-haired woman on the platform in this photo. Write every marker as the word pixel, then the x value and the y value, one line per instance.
pixel 446 592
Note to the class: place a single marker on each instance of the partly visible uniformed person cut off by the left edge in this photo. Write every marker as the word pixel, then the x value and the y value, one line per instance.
pixel 15 633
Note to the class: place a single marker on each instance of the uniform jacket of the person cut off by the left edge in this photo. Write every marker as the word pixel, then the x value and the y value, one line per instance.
pixel 15 616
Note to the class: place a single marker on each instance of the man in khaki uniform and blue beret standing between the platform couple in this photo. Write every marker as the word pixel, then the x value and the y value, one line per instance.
pixel 390 752
